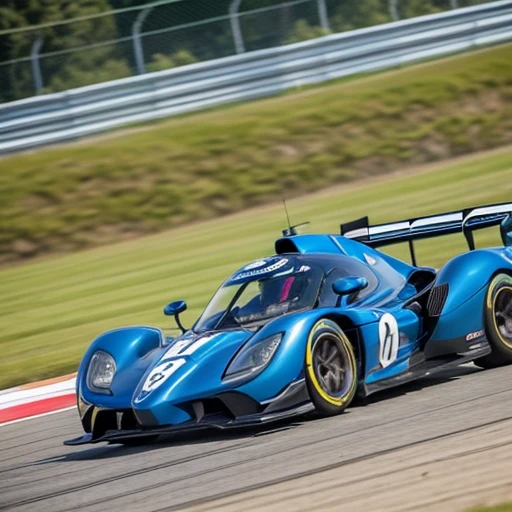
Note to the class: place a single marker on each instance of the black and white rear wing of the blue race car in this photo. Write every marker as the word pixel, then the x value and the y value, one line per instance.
pixel 465 221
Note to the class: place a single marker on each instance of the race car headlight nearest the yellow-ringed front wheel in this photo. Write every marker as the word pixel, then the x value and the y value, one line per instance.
pixel 253 357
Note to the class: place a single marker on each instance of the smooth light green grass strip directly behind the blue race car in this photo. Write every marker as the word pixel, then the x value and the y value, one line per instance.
pixel 52 309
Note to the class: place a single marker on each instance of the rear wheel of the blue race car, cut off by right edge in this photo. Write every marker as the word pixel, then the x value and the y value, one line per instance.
pixel 498 322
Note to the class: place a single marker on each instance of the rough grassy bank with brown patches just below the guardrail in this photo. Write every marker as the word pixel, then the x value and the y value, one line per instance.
pixel 215 163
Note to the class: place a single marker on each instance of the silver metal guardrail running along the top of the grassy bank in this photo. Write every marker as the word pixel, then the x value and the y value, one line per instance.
pixel 87 110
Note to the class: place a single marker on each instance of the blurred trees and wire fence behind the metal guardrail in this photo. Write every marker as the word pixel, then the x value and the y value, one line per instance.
pixel 51 46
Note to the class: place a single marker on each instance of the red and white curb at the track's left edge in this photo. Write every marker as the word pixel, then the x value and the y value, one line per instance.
pixel 37 399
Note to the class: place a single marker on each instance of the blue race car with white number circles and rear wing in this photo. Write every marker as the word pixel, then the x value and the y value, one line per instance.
pixel 326 318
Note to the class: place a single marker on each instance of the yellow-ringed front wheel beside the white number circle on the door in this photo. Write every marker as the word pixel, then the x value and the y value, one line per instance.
pixel 330 368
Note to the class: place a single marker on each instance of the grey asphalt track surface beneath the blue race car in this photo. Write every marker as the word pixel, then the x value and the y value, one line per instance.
pixel 442 443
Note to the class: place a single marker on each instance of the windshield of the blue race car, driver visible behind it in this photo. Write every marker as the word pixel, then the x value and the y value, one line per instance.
pixel 259 299
